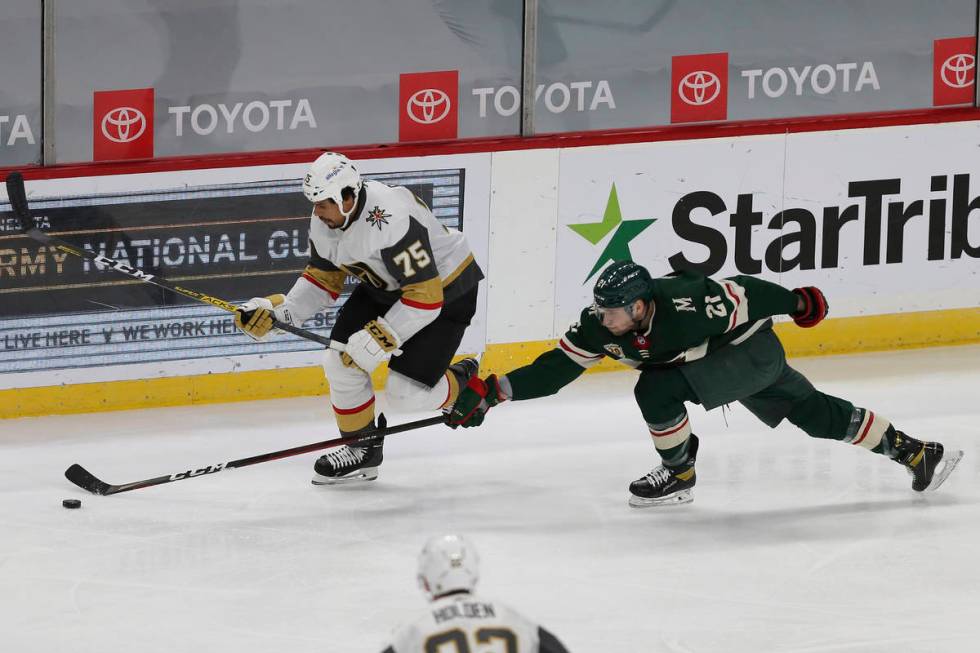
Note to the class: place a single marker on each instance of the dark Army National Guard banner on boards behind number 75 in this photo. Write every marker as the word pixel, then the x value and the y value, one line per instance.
pixel 232 240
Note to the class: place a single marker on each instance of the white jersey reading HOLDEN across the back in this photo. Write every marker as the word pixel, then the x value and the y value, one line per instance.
pixel 467 622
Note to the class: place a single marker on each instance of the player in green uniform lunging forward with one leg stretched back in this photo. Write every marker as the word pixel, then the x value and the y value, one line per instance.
pixel 708 342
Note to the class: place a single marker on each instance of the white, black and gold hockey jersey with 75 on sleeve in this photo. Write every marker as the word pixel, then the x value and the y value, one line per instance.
pixel 399 251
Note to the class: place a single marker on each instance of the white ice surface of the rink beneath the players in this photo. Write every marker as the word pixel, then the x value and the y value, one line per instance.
pixel 791 545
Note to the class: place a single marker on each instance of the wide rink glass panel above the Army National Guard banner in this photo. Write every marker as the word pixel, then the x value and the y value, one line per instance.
pixel 253 75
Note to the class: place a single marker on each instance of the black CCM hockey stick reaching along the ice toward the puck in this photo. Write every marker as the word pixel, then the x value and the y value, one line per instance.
pixel 85 480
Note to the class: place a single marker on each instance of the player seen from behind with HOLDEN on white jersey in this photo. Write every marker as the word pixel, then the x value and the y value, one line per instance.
pixel 457 619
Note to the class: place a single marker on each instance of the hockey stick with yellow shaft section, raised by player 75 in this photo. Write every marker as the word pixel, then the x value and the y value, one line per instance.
pixel 18 202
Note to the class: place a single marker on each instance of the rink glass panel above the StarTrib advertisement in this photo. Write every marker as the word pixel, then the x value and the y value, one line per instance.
pixel 630 44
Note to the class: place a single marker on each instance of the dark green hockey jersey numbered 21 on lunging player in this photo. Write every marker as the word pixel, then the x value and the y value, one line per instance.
pixel 694 315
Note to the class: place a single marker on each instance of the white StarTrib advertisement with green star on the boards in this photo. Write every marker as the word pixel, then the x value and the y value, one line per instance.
pixel 882 220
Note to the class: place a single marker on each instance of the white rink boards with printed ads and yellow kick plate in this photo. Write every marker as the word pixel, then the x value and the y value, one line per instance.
pixel 885 220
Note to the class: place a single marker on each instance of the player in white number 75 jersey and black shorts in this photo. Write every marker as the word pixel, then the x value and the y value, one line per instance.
pixel 417 295
